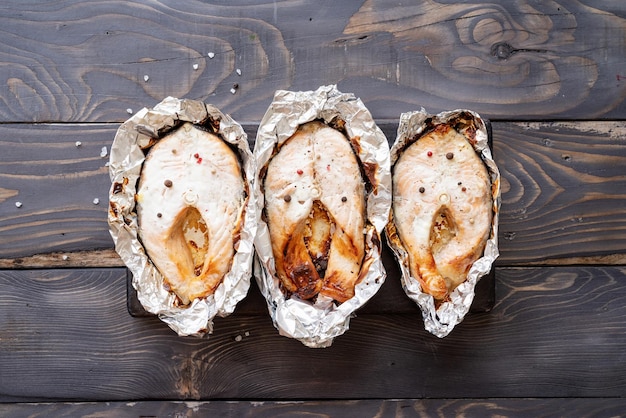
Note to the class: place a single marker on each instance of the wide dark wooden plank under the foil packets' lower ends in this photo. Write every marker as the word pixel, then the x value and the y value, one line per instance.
pixel 554 332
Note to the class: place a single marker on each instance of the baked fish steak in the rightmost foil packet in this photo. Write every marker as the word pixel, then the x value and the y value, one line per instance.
pixel 442 208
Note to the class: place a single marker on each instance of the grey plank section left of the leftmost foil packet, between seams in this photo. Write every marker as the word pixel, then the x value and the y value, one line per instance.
pixel 55 182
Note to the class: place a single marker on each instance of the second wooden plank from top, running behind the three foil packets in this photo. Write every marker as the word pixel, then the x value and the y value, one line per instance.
pixel 563 197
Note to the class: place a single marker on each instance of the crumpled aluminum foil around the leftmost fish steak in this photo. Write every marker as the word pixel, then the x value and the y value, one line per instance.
pixel 130 146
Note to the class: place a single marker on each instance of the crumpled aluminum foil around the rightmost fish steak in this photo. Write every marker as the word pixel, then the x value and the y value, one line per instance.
pixel 442 320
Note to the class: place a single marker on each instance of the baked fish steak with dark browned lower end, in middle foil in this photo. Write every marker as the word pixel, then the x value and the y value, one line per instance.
pixel 315 207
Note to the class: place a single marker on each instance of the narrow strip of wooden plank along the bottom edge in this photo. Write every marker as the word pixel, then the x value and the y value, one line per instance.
pixel 400 408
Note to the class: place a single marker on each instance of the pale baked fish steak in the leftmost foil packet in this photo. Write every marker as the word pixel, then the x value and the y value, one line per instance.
pixel 190 201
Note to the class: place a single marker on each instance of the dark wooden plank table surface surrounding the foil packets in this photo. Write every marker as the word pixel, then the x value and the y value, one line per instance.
pixel 551 76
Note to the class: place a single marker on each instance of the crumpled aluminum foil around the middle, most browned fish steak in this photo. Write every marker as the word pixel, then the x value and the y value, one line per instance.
pixel 317 323
